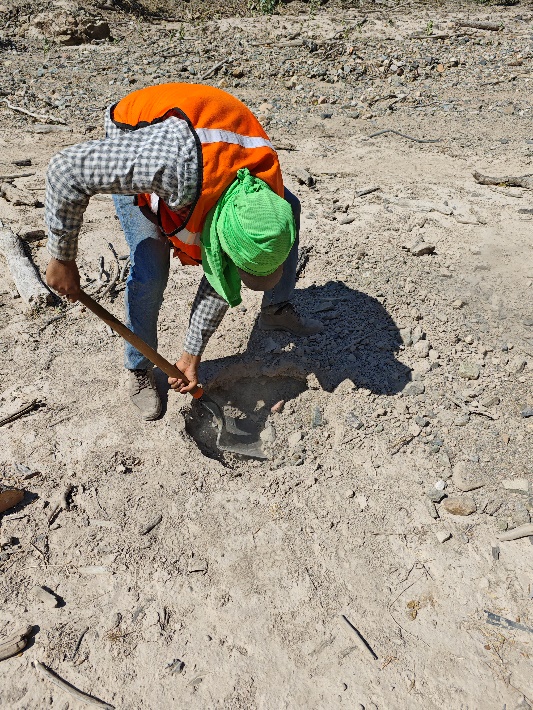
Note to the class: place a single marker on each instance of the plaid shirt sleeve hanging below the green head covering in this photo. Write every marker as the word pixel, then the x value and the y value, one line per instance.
pixel 207 312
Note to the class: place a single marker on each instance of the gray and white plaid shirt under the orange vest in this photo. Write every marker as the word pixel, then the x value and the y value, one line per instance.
pixel 160 159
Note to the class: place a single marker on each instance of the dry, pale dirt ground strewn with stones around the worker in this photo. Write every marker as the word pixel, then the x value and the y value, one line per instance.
pixel 235 598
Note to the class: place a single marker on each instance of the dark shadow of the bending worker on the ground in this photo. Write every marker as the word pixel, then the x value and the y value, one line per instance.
pixel 359 343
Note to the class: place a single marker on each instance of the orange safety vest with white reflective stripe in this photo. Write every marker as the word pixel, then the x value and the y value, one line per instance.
pixel 228 137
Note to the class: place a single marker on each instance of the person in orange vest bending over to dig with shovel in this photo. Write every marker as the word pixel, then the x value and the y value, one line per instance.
pixel 190 168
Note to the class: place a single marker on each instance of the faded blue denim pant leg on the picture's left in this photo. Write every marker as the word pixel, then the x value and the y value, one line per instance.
pixel 150 262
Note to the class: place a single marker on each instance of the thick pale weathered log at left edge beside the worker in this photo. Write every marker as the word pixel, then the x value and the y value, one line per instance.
pixel 29 285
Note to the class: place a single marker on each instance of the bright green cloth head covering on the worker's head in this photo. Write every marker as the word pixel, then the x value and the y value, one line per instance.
pixel 251 228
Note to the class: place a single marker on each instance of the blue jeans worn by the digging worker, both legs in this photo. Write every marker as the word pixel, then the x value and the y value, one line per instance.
pixel 148 277
